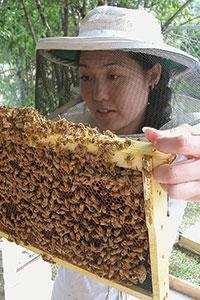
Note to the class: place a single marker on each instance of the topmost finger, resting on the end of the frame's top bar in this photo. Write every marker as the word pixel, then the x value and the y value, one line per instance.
pixel 179 140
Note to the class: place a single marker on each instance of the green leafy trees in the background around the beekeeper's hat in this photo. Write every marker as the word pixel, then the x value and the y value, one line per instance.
pixel 23 22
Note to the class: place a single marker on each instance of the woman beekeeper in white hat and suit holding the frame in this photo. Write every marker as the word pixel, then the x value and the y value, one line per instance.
pixel 126 73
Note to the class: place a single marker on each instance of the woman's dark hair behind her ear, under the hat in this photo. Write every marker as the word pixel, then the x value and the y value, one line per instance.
pixel 158 110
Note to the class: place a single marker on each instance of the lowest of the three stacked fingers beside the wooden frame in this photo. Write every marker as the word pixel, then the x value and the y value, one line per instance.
pixel 185 191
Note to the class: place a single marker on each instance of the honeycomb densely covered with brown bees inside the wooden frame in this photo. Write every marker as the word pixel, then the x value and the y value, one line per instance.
pixel 70 199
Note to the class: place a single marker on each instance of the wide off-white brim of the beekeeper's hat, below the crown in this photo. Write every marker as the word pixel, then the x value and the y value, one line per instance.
pixel 68 48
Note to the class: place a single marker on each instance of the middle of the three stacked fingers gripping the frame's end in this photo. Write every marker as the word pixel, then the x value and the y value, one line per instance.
pixel 178 172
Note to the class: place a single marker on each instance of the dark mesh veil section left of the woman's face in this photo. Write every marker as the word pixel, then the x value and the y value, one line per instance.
pixel 56 84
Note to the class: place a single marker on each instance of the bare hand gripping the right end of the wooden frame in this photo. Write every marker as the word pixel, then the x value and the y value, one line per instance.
pixel 181 179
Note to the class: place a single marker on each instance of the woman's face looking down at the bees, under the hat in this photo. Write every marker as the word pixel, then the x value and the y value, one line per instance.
pixel 115 89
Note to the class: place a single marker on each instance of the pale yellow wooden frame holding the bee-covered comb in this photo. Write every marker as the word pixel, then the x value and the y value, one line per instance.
pixel 143 157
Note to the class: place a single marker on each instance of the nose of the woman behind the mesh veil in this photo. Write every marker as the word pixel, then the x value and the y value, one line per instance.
pixel 100 89
